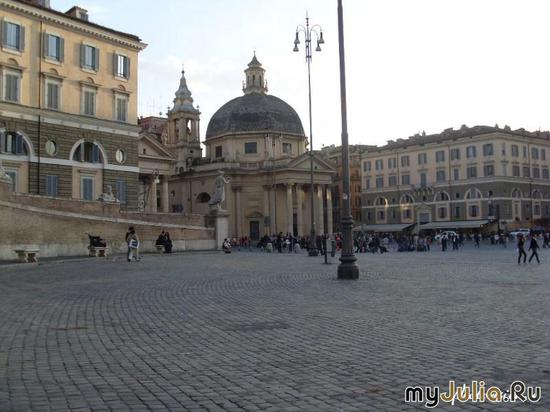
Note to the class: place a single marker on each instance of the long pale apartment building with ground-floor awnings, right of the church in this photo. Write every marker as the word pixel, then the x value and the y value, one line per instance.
pixel 473 178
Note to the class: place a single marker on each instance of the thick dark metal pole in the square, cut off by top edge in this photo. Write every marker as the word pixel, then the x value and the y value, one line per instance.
pixel 347 269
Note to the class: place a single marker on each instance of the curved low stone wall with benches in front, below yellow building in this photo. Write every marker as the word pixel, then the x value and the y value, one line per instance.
pixel 60 227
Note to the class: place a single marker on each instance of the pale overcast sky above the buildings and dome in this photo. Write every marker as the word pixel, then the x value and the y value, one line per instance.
pixel 412 65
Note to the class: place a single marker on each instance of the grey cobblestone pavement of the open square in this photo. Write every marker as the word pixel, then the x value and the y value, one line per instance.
pixel 252 331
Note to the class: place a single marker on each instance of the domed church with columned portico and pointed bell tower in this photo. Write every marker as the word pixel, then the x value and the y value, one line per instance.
pixel 258 141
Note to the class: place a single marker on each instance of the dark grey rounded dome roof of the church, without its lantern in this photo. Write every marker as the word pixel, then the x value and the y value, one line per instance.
pixel 255 112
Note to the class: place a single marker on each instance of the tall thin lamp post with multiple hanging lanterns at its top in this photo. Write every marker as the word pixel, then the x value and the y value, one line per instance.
pixel 318 32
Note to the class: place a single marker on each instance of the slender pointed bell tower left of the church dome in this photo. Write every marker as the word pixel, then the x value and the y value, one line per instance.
pixel 184 128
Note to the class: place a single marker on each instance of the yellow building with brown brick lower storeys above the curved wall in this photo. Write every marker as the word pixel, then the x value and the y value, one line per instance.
pixel 68 103
